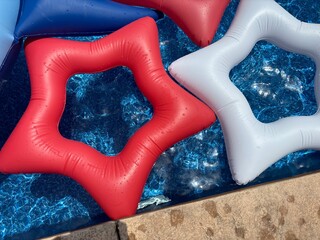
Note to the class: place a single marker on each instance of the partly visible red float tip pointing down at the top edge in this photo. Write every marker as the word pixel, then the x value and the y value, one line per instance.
pixel 198 19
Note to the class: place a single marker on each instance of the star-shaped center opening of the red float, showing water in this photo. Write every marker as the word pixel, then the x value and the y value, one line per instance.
pixel 104 109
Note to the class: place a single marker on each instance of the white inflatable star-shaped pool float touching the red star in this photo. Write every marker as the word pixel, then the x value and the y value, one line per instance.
pixel 252 146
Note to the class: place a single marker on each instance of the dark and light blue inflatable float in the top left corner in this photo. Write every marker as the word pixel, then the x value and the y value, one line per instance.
pixel 25 18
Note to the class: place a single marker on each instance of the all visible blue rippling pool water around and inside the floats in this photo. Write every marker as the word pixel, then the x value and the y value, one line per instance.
pixel 104 110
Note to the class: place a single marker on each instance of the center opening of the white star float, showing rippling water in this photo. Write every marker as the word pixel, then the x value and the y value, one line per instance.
pixel 276 83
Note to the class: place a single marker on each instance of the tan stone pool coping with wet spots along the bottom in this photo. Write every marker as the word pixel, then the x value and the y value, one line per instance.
pixel 287 209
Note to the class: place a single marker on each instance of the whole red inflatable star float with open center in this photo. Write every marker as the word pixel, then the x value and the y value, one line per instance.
pixel 115 182
